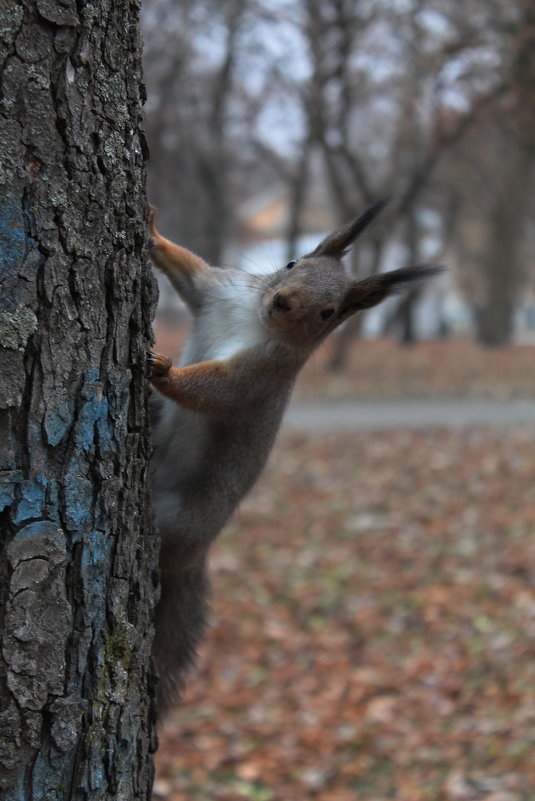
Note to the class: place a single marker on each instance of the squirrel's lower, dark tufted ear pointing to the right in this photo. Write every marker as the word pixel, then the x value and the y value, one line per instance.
pixel 370 291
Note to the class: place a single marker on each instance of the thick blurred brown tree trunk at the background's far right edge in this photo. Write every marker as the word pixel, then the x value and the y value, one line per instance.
pixel 498 173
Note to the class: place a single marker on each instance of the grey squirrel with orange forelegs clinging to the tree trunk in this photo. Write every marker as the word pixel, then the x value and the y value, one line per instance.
pixel 215 417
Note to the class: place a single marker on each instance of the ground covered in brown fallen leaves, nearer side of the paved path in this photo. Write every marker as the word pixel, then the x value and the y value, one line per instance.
pixel 373 627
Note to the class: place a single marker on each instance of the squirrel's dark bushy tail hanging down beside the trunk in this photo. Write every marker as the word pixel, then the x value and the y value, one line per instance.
pixel 181 618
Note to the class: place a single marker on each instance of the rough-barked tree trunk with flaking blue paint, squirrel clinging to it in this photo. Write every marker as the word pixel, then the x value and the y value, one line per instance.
pixel 77 567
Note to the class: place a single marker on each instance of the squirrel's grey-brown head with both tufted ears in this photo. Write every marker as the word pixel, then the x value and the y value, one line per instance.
pixel 312 295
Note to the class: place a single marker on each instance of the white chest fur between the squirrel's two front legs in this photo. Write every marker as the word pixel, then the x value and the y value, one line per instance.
pixel 229 321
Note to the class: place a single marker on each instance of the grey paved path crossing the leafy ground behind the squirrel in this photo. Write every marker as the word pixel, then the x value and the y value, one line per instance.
pixel 369 415
